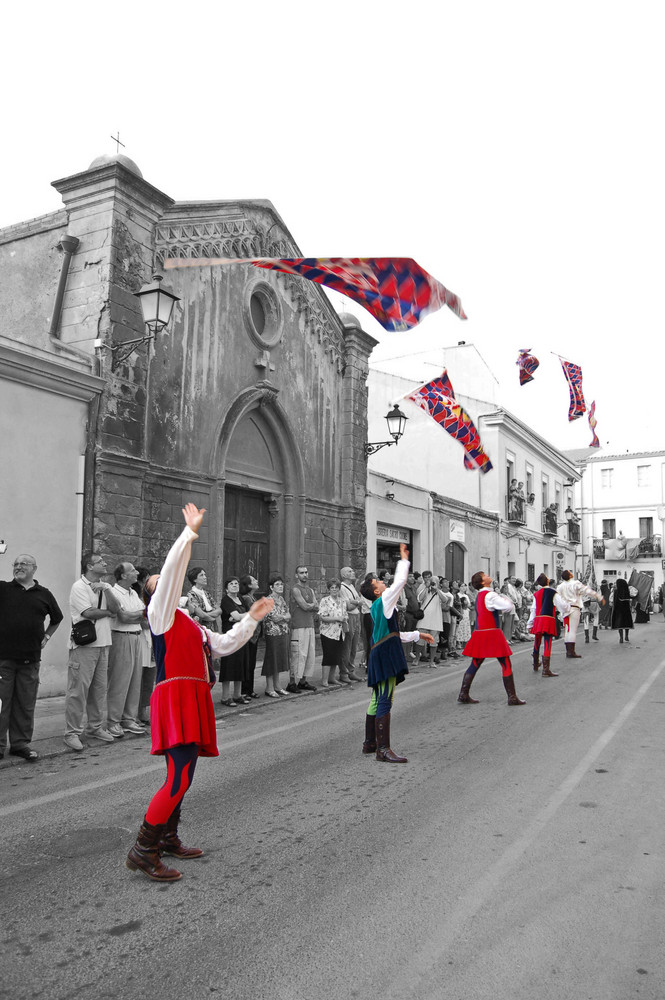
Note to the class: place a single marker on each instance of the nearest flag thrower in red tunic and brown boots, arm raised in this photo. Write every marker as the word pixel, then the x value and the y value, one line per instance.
pixel 181 712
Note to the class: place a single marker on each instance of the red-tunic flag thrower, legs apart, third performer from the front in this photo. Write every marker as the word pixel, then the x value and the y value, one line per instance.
pixel 488 639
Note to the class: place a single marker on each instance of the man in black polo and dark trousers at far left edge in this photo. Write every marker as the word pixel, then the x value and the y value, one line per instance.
pixel 24 607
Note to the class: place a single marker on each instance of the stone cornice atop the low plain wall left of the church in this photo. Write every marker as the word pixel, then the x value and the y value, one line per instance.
pixel 44 372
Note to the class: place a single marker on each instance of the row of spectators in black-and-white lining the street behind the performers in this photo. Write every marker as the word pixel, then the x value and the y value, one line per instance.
pixel 111 672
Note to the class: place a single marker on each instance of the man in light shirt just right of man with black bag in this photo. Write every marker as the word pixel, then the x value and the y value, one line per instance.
pixel 125 666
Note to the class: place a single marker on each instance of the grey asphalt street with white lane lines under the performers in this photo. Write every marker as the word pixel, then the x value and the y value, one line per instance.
pixel 519 854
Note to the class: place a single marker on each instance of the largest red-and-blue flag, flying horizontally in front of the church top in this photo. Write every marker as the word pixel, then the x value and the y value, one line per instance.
pixel 395 290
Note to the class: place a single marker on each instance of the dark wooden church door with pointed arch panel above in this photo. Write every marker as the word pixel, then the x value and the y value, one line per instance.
pixel 254 487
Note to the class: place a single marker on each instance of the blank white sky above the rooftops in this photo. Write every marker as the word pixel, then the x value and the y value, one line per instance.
pixel 514 149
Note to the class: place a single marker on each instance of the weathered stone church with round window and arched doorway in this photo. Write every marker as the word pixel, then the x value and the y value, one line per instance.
pixel 252 403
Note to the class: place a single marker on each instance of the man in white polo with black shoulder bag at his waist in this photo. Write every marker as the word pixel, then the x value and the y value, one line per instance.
pixel 93 600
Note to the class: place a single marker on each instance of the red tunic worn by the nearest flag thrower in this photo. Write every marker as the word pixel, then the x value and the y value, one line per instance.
pixel 181 709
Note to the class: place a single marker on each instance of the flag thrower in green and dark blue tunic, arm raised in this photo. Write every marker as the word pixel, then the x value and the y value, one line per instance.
pixel 386 666
